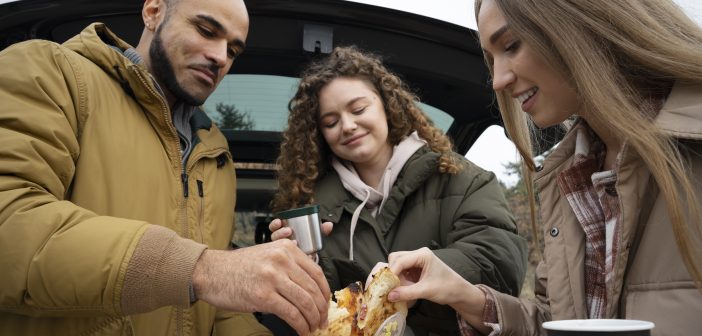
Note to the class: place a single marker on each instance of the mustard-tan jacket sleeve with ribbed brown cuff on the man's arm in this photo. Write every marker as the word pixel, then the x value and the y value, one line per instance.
pixel 58 258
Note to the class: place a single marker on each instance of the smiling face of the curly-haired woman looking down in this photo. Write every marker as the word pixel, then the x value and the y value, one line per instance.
pixel 353 122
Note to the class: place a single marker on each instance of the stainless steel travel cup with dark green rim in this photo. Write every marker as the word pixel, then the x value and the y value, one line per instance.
pixel 306 227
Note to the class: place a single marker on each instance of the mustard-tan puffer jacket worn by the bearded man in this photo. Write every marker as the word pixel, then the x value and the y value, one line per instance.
pixel 98 235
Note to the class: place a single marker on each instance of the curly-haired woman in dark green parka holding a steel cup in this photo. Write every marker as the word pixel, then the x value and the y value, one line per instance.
pixel 358 145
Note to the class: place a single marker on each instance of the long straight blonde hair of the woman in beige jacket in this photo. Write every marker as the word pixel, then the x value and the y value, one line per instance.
pixel 617 55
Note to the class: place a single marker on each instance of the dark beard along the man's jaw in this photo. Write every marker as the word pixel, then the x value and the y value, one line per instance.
pixel 163 71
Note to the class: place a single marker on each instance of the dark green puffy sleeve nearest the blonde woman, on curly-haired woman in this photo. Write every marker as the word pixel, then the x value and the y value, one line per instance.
pixel 481 242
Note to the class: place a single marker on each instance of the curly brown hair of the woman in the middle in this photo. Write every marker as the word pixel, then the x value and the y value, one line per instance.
pixel 305 156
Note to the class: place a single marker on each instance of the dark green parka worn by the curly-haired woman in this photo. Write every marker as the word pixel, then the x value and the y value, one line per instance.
pixel 462 217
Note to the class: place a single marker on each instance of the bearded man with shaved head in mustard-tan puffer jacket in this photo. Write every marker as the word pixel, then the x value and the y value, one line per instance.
pixel 116 191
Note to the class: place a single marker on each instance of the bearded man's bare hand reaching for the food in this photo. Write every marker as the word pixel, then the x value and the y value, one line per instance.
pixel 274 278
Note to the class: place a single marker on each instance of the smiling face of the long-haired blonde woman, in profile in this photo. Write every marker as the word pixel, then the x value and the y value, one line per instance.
pixel 521 73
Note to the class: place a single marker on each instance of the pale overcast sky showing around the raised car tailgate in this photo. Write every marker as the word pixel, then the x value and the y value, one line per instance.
pixel 492 150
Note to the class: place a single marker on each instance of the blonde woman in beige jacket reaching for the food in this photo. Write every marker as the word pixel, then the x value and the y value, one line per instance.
pixel 619 196
